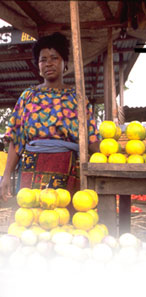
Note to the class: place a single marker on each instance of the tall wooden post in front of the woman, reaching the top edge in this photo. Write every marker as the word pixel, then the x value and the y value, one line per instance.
pixel 80 89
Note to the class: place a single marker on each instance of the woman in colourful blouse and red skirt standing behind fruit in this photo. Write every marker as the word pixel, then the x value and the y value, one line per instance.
pixel 43 129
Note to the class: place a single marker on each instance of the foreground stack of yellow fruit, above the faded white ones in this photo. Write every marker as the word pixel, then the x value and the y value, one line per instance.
pixel 45 213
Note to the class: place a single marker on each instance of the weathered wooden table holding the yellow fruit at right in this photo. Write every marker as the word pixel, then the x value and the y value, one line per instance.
pixel 111 179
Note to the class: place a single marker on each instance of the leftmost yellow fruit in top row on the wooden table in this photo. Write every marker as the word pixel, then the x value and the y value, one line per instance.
pixel 107 129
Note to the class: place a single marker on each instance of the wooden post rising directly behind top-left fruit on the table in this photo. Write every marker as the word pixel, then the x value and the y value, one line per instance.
pixel 111 79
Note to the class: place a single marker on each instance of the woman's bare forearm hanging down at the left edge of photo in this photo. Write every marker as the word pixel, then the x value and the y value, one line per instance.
pixel 12 161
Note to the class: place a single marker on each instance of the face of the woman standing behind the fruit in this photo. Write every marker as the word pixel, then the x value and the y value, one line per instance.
pixel 51 65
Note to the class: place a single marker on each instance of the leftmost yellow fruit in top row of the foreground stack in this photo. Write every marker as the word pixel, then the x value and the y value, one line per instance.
pixel 26 197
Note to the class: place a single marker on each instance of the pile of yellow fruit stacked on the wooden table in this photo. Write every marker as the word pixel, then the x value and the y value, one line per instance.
pixel 110 148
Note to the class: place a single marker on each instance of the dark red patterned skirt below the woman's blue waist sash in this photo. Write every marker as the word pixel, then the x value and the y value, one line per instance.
pixel 52 170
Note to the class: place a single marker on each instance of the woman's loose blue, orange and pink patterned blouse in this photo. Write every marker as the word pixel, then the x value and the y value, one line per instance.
pixel 47 113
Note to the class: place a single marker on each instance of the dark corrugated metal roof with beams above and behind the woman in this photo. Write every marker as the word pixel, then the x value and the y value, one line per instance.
pixel 17 69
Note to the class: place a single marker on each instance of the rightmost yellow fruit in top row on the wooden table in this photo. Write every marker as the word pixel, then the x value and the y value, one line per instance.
pixel 135 130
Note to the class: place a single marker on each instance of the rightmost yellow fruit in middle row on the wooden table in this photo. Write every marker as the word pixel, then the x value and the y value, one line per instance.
pixel 136 147
